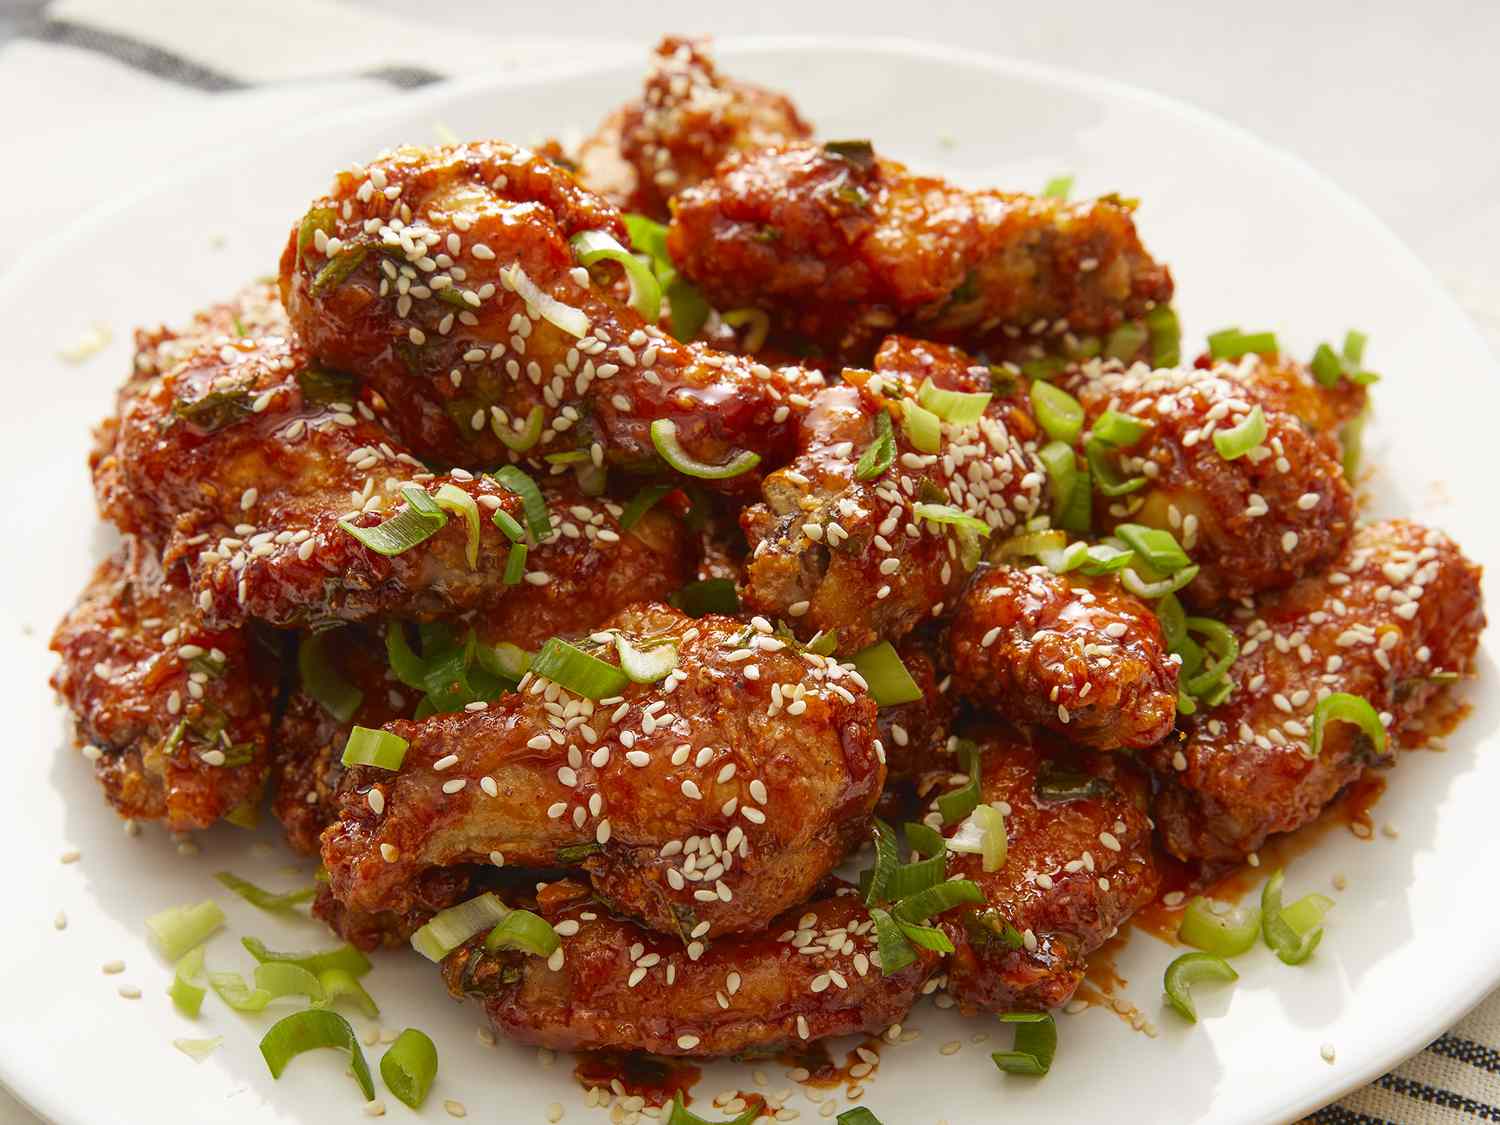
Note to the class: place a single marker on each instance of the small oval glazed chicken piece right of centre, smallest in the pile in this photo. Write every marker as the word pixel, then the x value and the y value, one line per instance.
pixel 1078 656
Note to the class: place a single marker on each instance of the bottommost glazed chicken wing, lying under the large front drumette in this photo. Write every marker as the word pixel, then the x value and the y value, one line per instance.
pixel 811 974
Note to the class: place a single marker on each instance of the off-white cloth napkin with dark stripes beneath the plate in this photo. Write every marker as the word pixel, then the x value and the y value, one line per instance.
pixel 212 73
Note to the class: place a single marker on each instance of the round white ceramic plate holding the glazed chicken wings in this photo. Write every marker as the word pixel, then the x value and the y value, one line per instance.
pixel 1253 236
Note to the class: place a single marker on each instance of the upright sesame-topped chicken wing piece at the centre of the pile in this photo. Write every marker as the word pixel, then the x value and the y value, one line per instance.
pixel 836 553
